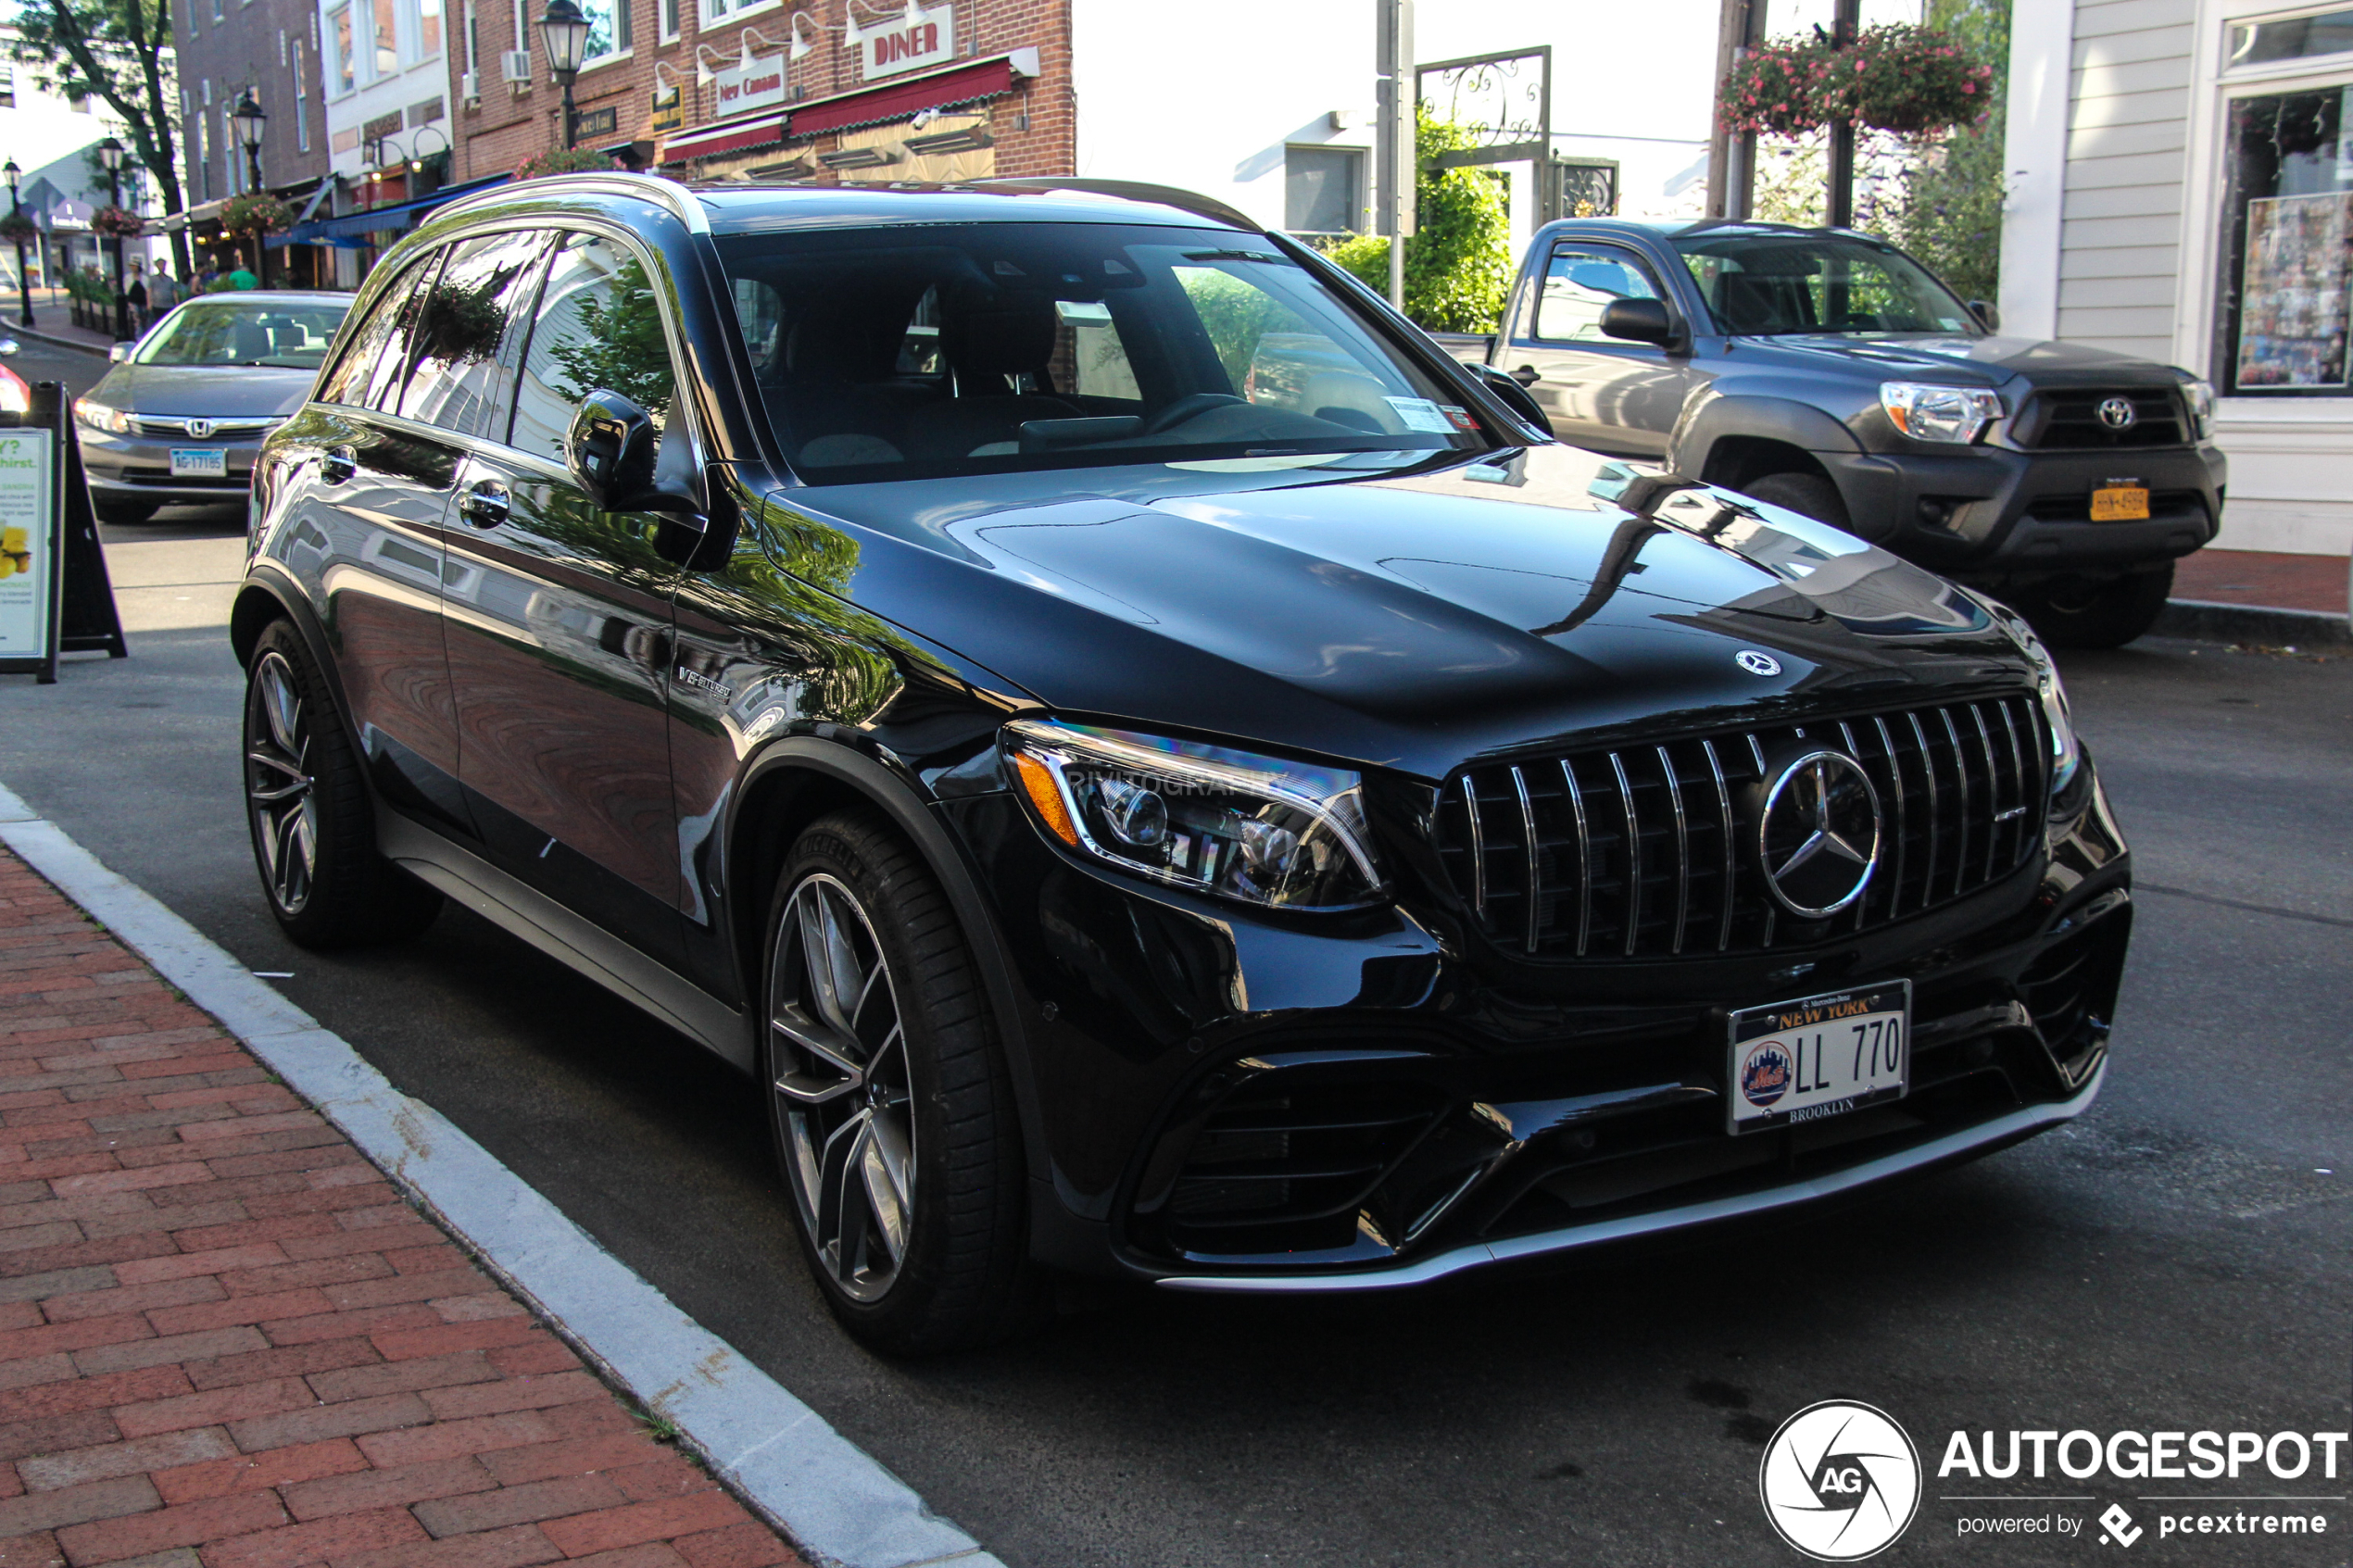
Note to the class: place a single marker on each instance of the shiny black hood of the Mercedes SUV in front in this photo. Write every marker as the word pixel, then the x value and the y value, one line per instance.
pixel 1406 622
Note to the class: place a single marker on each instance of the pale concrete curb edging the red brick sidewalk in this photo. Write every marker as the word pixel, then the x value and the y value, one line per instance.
pixel 825 1494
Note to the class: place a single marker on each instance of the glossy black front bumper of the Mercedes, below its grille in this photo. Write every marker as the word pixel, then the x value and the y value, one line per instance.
pixel 1241 1104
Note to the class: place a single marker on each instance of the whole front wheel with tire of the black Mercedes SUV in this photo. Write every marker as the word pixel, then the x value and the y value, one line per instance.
pixel 893 1115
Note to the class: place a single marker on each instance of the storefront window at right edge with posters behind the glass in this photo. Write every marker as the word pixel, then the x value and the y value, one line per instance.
pixel 2288 264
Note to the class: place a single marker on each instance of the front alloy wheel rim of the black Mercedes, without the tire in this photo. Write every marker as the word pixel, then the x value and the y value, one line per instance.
pixel 841 1087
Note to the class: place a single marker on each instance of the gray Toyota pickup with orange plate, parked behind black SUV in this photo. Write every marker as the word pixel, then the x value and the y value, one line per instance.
pixel 1834 375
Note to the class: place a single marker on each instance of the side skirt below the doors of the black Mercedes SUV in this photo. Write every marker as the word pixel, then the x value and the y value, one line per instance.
pixel 561 934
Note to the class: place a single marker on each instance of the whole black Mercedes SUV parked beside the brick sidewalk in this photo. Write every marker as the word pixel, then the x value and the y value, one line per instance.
pixel 1147 765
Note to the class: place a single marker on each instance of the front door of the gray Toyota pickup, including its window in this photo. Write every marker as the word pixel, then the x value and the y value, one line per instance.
pixel 1601 394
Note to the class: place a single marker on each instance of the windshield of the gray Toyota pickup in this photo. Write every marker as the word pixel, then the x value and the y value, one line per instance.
pixel 1768 286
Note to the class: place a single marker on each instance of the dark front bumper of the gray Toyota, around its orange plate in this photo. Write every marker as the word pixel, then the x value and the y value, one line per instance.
pixel 2004 514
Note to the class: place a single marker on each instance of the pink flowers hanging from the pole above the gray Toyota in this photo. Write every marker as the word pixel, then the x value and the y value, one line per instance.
pixel 1893 79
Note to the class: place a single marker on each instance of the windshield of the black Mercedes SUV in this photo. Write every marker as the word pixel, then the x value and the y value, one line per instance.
pixel 1013 347
